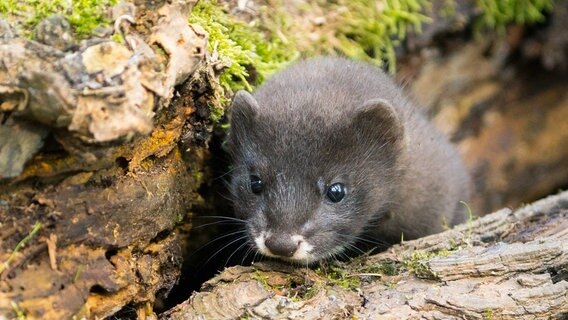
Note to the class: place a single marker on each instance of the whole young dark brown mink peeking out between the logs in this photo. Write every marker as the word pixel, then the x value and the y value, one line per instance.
pixel 329 152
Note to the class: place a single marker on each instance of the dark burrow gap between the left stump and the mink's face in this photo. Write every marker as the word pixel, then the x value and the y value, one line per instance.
pixel 210 243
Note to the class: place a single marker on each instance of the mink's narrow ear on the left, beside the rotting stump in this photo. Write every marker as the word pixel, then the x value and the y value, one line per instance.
pixel 242 113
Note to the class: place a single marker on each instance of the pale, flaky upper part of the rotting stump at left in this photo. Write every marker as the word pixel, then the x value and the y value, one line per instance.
pixel 105 91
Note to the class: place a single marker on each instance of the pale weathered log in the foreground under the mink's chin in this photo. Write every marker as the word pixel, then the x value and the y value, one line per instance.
pixel 506 265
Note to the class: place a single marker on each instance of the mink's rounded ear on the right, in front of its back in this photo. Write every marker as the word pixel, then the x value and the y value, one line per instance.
pixel 377 120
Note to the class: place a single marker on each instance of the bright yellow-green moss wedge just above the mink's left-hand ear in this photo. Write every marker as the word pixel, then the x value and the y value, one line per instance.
pixel 242 48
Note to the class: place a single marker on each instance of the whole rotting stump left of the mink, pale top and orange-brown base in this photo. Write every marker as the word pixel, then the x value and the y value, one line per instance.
pixel 87 226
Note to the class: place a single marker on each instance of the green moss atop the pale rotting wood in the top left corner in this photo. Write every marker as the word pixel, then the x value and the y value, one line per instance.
pixel 83 15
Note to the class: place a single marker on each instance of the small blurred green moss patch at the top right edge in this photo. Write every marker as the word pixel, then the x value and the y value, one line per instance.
pixel 497 14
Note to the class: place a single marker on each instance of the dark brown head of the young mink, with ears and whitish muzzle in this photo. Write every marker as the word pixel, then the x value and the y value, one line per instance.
pixel 311 173
